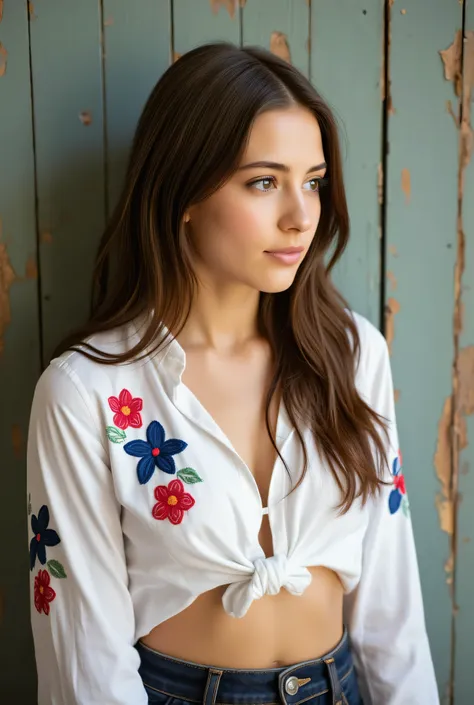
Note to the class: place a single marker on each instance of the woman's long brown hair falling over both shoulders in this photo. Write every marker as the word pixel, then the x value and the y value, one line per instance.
pixel 189 141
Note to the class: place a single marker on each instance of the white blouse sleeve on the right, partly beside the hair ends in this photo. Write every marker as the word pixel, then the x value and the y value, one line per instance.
pixel 385 613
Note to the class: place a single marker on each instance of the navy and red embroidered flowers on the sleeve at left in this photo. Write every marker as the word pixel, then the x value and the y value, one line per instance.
pixel 43 536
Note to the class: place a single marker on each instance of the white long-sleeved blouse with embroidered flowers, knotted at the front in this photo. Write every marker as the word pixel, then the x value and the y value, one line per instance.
pixel 138 503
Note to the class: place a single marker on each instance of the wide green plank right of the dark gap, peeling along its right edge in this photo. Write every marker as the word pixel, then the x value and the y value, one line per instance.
pixel 421 254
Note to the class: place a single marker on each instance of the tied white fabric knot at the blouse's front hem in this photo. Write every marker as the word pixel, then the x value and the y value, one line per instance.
pixel 269 576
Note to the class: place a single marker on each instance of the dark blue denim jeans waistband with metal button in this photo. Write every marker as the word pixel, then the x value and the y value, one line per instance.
pixel 329 680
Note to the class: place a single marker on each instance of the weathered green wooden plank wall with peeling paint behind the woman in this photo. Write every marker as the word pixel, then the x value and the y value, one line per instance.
pixel 73 80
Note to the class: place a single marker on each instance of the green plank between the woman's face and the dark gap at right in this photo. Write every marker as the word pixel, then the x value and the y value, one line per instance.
pixel 346 67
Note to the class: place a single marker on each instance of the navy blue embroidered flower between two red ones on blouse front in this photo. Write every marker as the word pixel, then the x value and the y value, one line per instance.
pixel 155 452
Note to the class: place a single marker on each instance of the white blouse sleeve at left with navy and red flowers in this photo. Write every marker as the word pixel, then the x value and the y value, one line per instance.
pixel 81 611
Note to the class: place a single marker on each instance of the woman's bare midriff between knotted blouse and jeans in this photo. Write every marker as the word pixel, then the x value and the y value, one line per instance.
pixel 278 630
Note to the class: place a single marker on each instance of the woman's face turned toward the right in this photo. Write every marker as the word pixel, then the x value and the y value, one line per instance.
pixel 270 204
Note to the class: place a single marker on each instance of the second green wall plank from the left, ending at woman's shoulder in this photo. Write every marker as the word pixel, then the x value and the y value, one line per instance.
pixel 67 88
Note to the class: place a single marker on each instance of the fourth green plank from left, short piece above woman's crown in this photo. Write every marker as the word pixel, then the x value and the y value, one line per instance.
pixel 201 21
